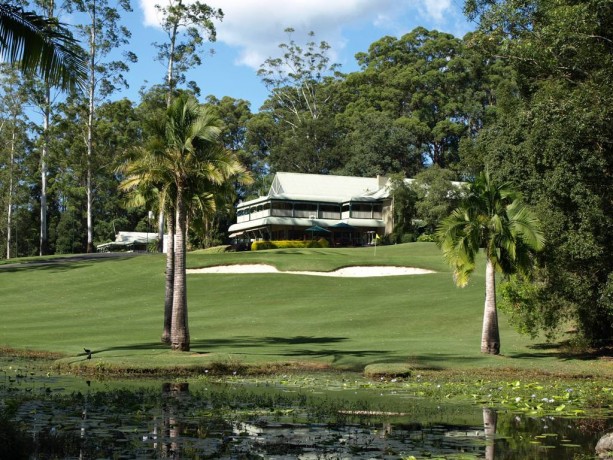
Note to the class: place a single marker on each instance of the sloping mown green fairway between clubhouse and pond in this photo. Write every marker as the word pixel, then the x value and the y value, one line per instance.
pixel 114 307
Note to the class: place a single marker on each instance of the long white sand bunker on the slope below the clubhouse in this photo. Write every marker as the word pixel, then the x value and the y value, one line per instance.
pixel 349 272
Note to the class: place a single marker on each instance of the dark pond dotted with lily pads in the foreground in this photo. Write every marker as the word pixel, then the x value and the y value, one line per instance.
pixel 43 415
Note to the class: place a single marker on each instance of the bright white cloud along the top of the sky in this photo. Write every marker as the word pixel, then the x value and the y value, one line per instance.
pixel 255 27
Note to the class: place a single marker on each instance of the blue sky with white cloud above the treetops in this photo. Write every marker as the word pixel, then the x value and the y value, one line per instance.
pixel 252 30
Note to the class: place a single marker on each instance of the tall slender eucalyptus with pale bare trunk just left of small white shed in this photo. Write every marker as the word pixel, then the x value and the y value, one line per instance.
pixel 103 33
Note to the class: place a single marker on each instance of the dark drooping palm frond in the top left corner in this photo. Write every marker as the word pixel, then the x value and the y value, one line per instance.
pixel 41 46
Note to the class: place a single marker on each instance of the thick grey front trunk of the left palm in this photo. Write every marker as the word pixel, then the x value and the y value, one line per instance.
pixel 180 330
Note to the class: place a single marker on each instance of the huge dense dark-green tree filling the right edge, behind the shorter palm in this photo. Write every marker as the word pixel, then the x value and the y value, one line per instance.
pixel 553 139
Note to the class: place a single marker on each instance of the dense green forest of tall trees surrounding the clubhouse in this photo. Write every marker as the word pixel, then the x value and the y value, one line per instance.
pixel 527 95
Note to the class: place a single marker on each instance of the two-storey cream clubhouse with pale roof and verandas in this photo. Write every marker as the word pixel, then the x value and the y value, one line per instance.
pixel 344 210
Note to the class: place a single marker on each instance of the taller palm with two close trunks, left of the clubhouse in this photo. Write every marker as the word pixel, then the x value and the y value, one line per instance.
pixel 188 162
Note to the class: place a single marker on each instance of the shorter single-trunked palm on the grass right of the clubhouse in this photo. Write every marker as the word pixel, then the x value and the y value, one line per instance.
pixel 494 218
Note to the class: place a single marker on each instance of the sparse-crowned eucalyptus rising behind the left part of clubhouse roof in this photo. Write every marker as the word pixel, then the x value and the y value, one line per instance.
pixel 299 108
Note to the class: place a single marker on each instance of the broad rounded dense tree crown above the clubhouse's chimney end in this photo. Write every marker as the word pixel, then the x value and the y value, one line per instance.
pixel 420 79
